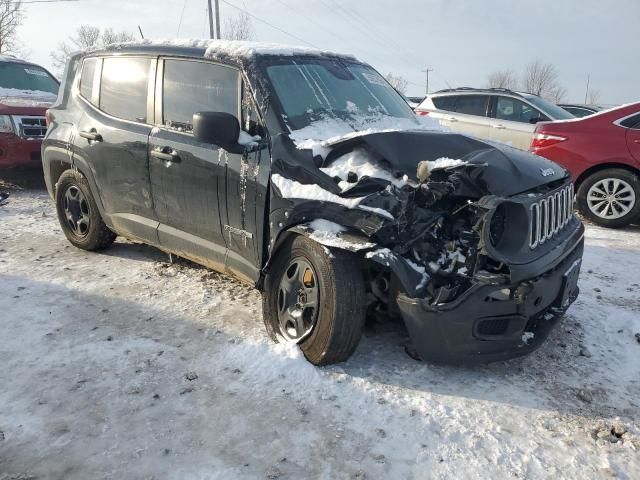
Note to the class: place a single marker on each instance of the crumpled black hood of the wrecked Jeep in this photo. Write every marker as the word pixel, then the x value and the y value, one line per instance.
pixel 501 170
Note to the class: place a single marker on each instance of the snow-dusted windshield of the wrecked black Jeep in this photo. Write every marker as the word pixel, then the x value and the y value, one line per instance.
pixel 316 89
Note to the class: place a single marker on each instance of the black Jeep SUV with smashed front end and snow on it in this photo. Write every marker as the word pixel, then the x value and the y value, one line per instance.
pixel 307 175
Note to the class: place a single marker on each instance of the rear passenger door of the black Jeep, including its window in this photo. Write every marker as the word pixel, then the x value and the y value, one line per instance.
pixel 111 139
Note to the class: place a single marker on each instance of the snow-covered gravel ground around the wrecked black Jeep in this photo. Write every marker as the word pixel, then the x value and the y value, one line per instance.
pixel 120 365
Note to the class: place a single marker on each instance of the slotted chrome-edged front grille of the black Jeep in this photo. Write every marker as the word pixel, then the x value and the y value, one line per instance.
pixel 550 215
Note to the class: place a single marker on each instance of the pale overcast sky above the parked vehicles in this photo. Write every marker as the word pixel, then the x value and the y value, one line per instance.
pixel 462 41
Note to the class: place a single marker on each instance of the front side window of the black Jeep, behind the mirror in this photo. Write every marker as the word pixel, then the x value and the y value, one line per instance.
pixel 191 87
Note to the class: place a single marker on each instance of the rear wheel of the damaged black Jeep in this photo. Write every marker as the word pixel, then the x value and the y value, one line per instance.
pixel 78 213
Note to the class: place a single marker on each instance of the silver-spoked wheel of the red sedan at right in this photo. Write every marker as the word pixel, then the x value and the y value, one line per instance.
pixel 625 188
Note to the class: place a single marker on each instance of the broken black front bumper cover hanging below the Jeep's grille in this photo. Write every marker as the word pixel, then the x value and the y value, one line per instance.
pixel 490 323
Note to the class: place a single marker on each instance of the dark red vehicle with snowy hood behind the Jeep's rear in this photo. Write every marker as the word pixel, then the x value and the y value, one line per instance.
pixel 26 91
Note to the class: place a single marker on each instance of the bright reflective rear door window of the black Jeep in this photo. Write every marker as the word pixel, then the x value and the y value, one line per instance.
pixel 123 88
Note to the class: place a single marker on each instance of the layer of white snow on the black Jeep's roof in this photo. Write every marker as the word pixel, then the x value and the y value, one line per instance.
pixel 233 48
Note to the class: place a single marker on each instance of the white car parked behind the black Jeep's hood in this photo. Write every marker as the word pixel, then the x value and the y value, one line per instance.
pixel 495 114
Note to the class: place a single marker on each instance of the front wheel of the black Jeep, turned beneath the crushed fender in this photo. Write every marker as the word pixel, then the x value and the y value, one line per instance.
pixel 333 330
